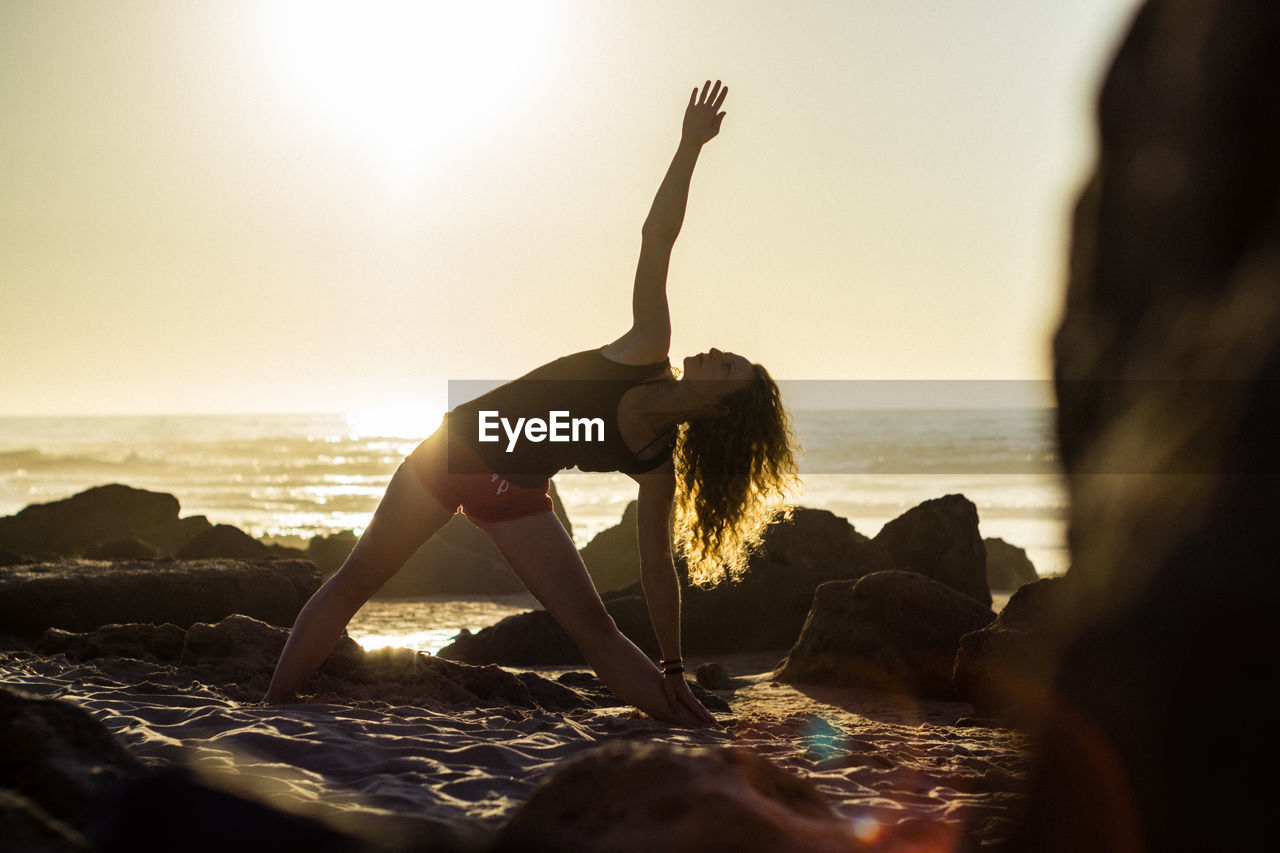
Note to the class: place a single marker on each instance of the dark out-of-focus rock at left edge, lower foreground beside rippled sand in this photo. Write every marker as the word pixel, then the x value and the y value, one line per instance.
pixel 61 759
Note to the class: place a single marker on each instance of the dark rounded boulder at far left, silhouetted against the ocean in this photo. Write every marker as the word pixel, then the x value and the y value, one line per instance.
pixel 95 517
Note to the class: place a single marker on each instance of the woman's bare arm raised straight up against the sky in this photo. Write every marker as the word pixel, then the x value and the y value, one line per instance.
pixel 650 337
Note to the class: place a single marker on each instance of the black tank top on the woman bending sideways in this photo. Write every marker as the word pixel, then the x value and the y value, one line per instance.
pixel 586 386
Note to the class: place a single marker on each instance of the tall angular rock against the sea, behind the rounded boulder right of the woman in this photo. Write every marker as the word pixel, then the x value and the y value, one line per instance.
pixel 940 540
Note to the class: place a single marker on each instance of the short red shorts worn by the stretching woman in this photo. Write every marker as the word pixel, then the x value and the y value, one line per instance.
pixel 460 480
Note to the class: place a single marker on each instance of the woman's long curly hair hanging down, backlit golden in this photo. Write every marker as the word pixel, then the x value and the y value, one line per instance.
pixel 734 473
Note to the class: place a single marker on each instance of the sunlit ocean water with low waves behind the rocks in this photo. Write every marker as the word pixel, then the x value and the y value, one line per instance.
pixel 287 478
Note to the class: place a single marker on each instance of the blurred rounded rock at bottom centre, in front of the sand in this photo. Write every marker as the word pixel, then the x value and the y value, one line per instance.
pixel 628 797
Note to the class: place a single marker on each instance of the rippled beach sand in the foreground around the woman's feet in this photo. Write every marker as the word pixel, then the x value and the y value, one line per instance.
pixel 883 761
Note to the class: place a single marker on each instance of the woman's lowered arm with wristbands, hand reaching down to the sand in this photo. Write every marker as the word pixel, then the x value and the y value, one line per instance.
pixel 661 583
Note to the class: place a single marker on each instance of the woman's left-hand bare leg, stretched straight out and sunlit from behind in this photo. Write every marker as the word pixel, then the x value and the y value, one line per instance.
pixel 405 519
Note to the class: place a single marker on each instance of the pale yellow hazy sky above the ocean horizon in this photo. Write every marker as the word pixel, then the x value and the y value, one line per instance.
pixel 269 207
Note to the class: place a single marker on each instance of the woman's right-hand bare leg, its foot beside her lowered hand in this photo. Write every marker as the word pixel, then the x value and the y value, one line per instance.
pixel 543 556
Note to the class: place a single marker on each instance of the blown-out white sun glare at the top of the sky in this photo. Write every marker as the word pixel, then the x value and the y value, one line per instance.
pixel 403 81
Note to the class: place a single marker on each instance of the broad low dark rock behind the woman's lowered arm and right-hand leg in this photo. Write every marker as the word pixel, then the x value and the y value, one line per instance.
pixel 764 613
